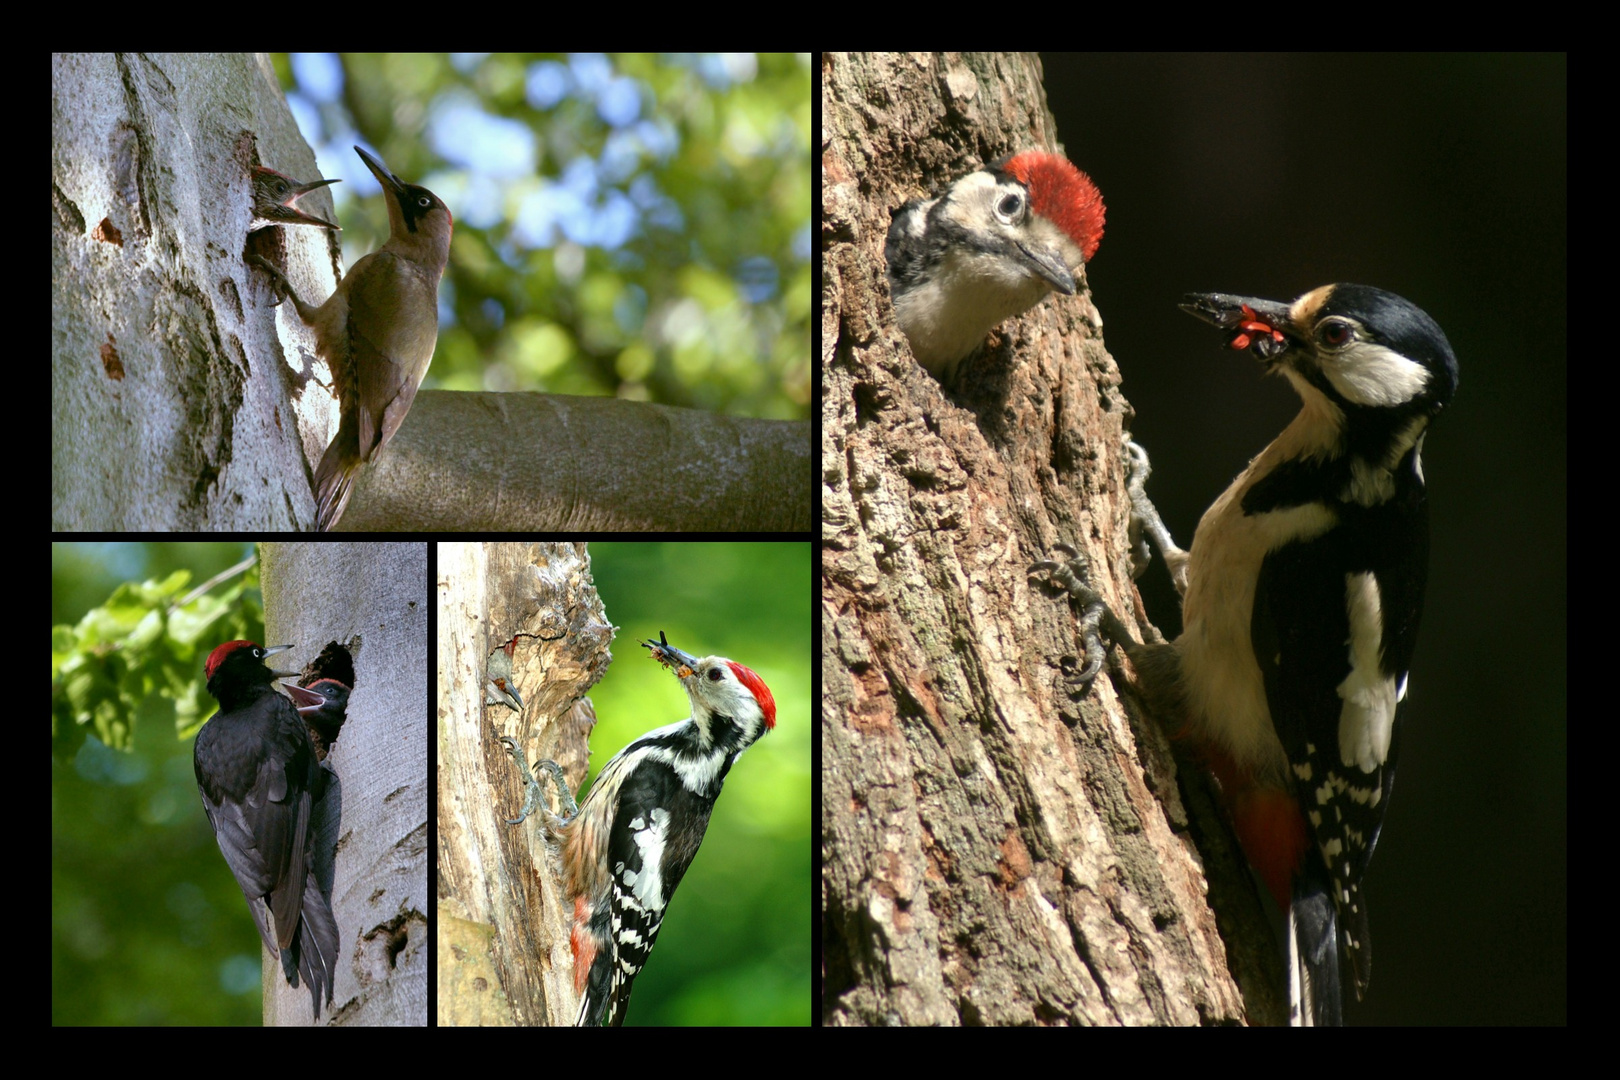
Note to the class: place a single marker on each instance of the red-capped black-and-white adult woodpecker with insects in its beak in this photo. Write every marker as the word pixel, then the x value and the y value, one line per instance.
pixel 629 844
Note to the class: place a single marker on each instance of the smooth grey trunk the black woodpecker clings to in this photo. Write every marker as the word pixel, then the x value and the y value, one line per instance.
pixel 373 600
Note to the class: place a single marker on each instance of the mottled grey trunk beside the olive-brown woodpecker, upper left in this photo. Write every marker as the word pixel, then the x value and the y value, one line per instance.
pixel 174 406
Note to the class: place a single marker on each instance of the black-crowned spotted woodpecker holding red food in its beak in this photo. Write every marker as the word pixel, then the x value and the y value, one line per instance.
pixel 1302 598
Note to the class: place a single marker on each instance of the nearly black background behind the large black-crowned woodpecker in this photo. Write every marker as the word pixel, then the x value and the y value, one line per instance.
pixel 1441 179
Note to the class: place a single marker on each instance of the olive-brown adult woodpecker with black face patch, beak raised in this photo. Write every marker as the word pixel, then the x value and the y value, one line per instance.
pixel 378 333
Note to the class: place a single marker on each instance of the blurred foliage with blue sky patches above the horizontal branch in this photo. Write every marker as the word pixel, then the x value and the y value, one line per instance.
pixel 715 172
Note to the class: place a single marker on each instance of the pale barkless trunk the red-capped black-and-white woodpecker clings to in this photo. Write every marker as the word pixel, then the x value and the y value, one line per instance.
pixel 503 921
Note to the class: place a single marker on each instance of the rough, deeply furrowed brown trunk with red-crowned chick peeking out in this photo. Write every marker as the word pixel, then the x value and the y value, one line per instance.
pixel 997 846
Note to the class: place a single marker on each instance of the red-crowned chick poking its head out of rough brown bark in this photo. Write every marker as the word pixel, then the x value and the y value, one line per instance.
pixel 989 249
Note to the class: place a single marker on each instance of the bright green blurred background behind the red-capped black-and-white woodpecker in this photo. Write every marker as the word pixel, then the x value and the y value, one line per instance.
pixel 736 942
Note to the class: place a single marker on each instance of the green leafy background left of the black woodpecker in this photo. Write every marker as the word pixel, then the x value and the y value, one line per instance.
pixel 147 924
